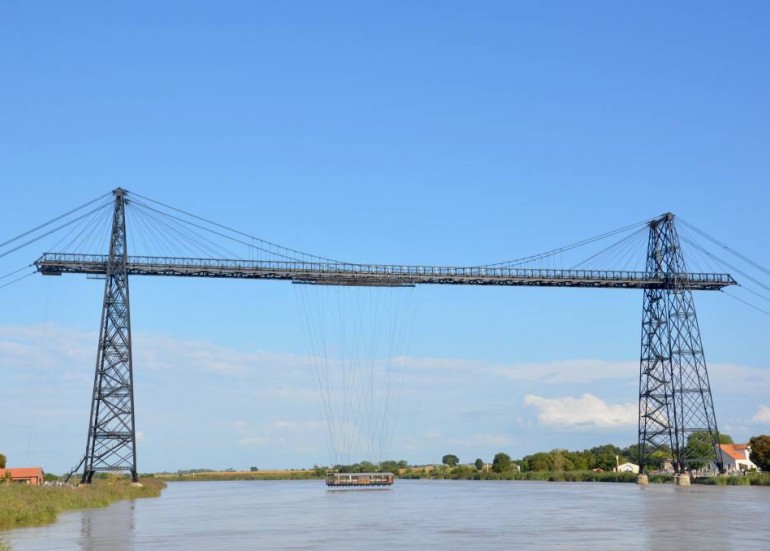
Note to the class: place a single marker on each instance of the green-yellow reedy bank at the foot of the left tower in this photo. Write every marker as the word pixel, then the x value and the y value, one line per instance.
pixel 22 505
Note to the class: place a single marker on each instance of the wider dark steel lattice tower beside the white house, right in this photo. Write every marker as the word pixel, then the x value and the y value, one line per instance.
pixel 674 392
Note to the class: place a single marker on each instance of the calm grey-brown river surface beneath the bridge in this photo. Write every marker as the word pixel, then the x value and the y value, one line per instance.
pixel 417 514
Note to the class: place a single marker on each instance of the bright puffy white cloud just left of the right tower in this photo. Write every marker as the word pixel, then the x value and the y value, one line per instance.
pixel 586 411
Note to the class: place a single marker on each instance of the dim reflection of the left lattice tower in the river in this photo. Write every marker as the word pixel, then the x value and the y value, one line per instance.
pixel 110 528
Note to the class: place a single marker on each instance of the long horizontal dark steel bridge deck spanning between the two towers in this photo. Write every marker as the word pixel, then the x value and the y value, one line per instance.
pixel 377 274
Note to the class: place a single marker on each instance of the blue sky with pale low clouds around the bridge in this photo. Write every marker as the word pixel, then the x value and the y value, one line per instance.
pixel 455 133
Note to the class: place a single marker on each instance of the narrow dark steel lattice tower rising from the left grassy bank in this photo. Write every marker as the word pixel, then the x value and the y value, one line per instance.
pixel 111 434
